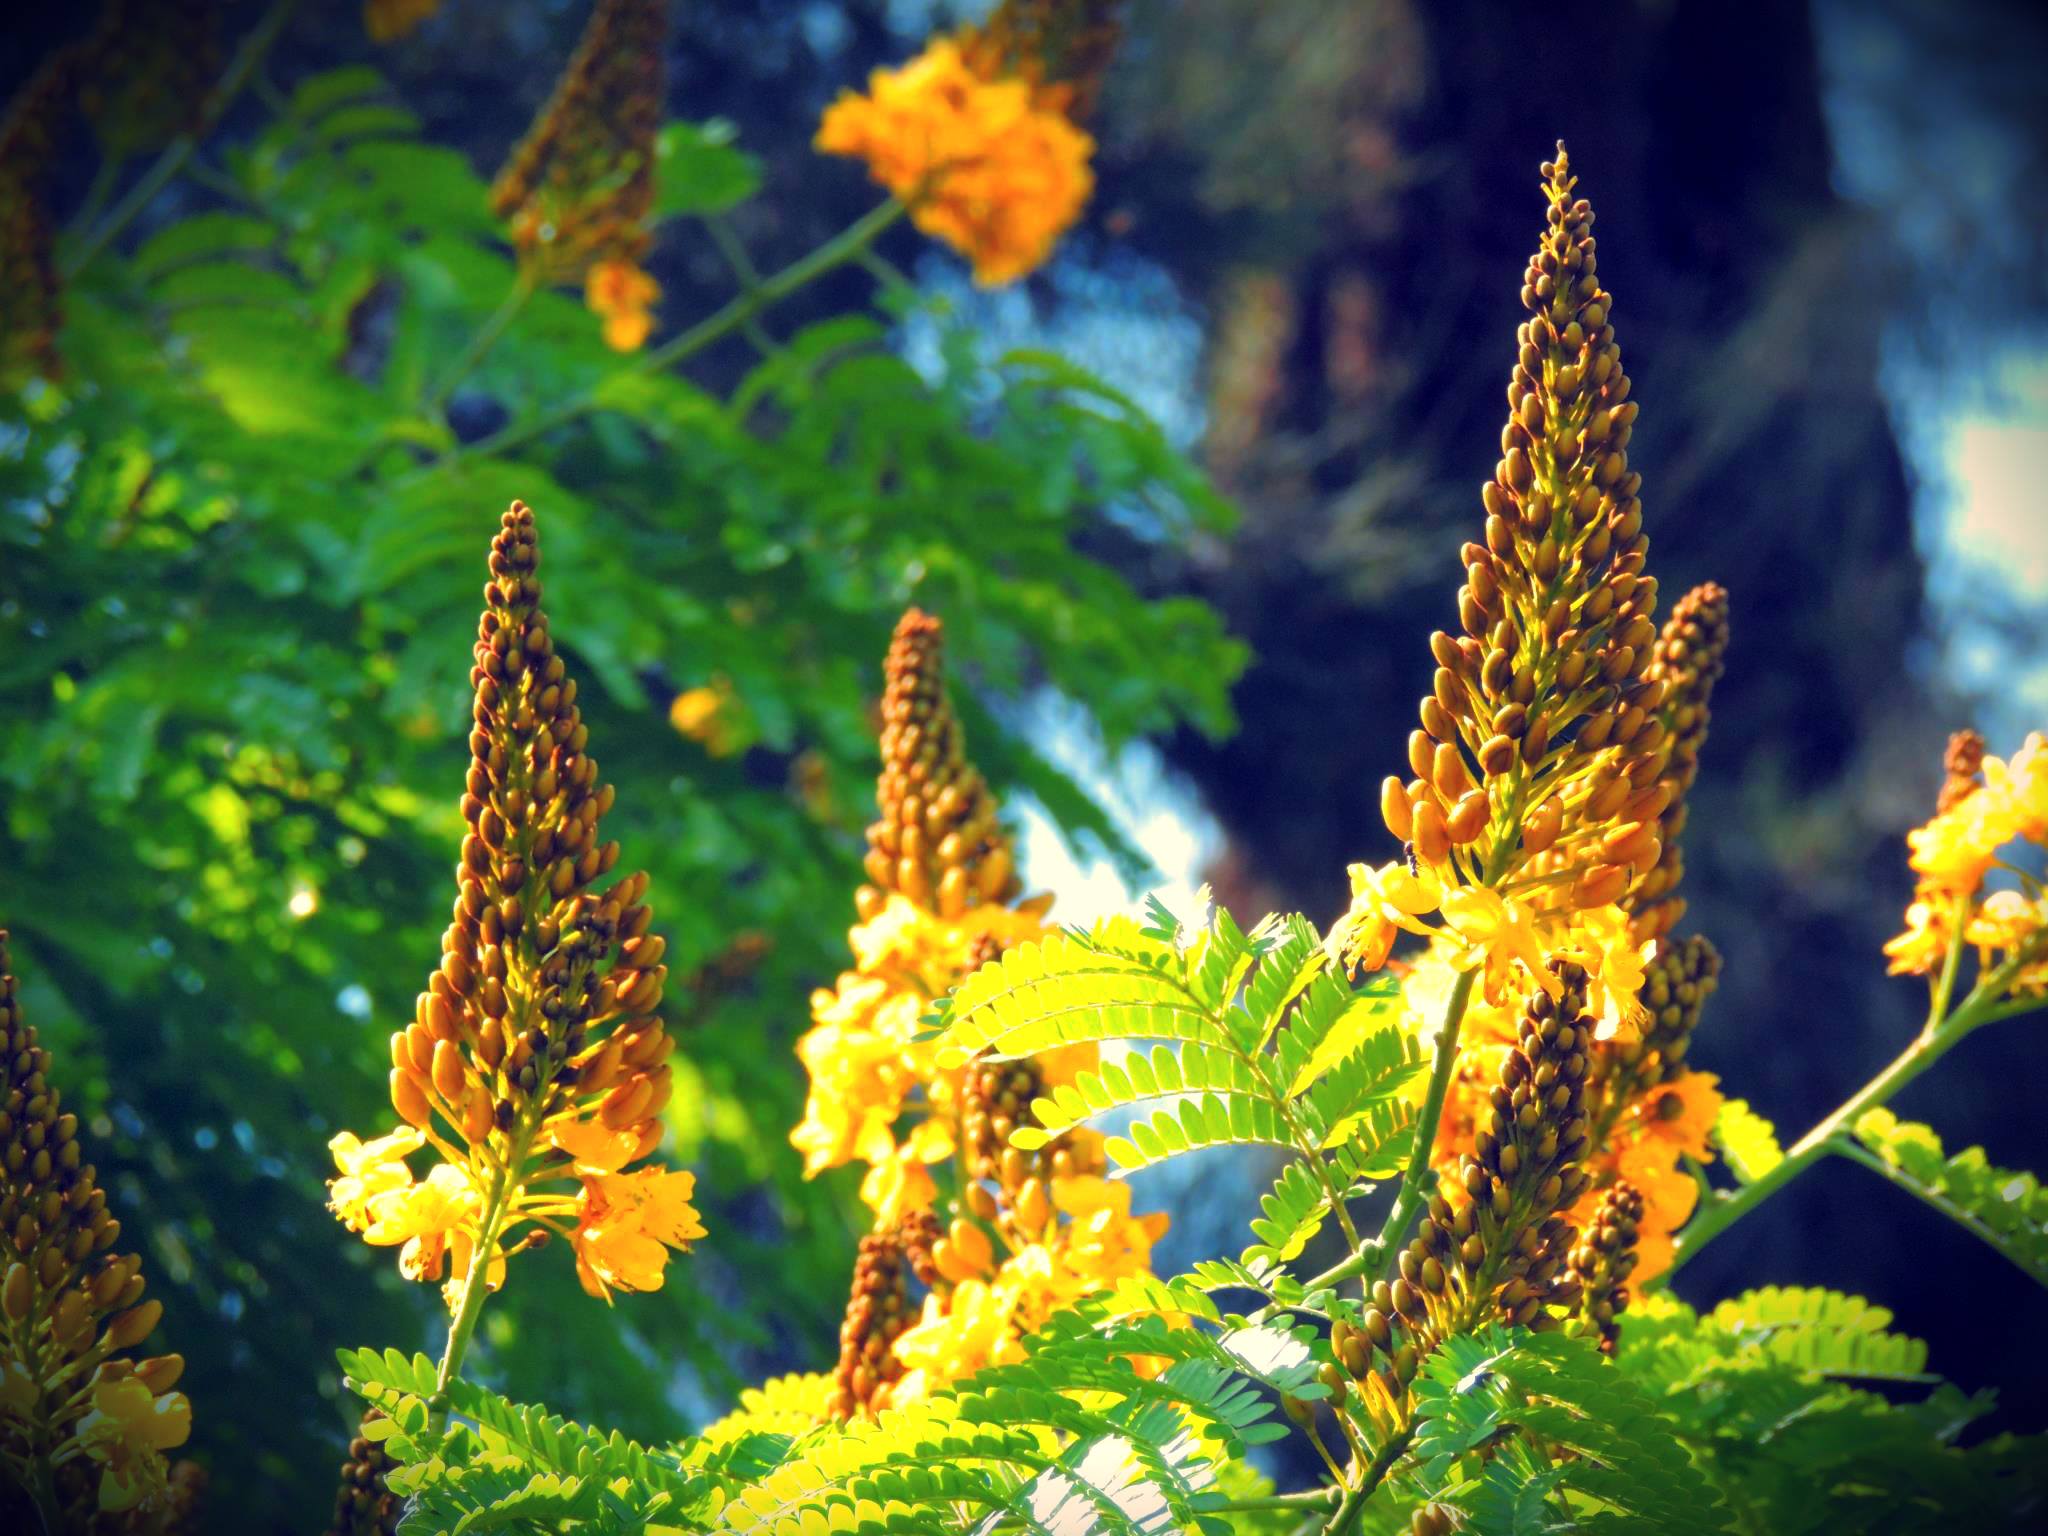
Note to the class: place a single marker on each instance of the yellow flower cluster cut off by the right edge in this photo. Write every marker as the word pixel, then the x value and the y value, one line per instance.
pixel 1986 806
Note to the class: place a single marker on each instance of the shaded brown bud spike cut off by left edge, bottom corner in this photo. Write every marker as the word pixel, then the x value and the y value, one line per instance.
pixel 69 1306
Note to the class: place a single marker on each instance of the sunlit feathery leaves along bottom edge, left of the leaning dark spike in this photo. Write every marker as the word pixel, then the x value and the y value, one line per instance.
pixel 1017 1447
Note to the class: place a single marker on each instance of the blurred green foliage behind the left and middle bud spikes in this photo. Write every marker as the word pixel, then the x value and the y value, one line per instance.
pixel 241 552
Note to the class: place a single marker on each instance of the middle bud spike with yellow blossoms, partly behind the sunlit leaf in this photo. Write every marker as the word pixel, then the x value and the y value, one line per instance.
pixel 1031 1232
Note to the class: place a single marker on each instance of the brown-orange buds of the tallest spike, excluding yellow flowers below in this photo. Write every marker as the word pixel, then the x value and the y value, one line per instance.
pixel 1541 740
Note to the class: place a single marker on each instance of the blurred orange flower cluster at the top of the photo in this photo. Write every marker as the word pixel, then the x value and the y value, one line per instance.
pixel 986 163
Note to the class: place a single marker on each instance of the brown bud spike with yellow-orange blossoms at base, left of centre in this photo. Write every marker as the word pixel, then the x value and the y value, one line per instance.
pixel 536 1054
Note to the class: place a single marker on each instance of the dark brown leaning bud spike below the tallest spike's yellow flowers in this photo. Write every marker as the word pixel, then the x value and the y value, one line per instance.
pixel 1496 1240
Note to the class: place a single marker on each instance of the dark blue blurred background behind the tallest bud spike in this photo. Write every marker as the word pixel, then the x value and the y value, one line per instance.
pixel 1826 237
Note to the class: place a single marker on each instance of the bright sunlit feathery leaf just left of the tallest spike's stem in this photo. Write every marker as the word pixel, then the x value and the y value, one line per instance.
pixel 1271 1048
